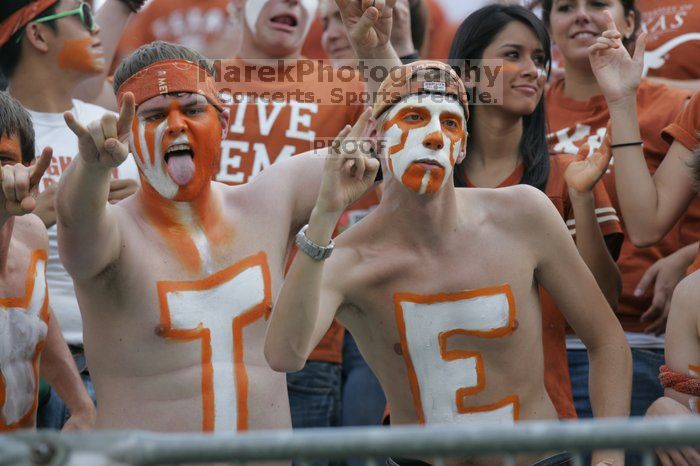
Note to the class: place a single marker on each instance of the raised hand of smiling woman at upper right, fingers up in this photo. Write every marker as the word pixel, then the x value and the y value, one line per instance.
pixel 617 72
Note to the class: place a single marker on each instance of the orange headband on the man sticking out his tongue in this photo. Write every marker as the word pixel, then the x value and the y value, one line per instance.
pixel 170 77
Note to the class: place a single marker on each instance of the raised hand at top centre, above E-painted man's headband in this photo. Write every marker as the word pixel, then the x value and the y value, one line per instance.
pixel 370 27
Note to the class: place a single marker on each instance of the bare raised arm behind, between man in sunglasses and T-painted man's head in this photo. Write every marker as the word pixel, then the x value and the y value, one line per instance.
pixel 112 18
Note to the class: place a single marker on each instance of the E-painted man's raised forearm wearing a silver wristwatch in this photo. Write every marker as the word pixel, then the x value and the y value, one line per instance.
pixel 295 325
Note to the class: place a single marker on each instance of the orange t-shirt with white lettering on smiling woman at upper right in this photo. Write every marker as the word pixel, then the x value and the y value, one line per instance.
pixel 574 123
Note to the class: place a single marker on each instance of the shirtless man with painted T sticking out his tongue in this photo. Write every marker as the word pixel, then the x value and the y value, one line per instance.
pixel 175 284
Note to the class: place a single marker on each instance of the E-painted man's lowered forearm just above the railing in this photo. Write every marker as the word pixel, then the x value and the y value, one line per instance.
pixel 610 376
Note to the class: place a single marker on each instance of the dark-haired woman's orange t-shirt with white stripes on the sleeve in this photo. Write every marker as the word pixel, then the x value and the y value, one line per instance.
pixel 556 374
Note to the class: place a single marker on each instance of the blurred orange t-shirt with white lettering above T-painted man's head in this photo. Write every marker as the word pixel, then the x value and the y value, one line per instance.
pixel 194 23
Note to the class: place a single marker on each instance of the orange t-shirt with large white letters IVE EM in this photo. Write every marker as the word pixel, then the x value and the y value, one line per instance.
pixel 277 116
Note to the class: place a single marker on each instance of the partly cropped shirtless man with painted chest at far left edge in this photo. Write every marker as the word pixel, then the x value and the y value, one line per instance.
pixel 31 343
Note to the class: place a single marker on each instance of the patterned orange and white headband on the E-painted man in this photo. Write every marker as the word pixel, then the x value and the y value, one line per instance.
pixel 410 80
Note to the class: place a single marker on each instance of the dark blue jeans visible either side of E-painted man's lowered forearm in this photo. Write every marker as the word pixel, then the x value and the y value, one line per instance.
pixel 646 387
